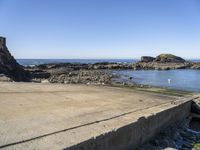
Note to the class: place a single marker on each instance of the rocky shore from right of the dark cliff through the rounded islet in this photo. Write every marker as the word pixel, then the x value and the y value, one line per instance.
pixel 102 73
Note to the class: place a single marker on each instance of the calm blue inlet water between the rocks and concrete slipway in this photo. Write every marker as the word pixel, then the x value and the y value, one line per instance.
pixel 176 79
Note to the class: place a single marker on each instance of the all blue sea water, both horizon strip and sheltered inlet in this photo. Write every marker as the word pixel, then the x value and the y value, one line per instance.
pixel 183 79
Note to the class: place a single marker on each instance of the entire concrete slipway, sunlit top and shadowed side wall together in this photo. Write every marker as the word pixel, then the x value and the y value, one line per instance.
pixel 53 116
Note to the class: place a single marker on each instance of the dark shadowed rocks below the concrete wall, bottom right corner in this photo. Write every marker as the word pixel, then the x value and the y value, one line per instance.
pixel 182 136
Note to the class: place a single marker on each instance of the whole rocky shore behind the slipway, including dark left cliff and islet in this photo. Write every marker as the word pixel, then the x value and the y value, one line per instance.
pixel 79 73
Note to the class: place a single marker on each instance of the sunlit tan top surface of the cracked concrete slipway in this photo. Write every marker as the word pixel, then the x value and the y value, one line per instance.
pixel 55 116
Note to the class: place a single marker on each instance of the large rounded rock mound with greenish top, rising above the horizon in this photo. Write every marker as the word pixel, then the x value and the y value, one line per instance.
pixel 169 58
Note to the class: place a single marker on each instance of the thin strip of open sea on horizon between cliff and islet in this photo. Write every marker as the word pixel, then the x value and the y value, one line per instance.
pixel 28 62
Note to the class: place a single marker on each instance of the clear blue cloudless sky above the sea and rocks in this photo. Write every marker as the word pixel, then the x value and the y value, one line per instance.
pixel 100 28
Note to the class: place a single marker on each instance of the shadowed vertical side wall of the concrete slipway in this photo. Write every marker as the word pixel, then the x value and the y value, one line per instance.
pixel 137 133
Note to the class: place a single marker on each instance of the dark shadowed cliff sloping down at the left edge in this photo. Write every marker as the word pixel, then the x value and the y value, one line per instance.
pixel 9 66
